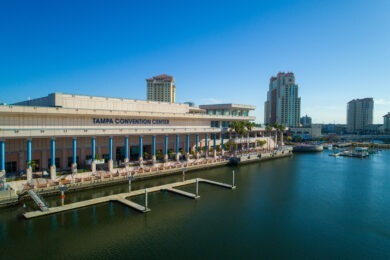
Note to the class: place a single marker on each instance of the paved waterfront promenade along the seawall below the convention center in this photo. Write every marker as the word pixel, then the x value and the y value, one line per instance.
pixel 91 180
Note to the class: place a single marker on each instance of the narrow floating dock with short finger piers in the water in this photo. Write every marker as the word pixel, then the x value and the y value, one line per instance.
pixel 121 198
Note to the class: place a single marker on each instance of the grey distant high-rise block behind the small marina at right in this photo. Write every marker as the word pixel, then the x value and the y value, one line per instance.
pixel 359 114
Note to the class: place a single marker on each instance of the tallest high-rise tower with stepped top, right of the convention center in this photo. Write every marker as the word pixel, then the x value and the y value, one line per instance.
pixel 283 106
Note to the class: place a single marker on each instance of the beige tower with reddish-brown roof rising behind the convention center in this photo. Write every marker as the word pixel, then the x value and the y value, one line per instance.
pixel 161 88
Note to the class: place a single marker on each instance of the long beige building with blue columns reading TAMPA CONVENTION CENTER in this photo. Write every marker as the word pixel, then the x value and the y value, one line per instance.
pixel 65 131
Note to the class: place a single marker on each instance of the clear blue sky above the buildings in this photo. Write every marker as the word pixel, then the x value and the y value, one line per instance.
pixel 218 51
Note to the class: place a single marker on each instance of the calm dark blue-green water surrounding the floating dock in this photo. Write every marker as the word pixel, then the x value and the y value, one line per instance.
pixel 307 206
